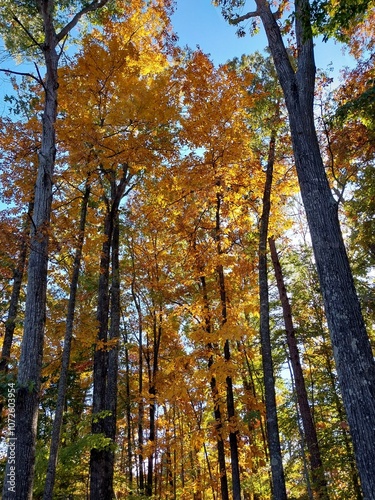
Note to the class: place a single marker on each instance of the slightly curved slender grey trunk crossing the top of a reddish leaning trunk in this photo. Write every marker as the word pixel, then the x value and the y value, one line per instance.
pixel 277 471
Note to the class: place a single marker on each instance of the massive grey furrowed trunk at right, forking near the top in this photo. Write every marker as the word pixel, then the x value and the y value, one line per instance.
pixel 351 347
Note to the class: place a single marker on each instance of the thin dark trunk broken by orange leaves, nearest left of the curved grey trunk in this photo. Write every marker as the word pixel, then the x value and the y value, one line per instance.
pixel 233 432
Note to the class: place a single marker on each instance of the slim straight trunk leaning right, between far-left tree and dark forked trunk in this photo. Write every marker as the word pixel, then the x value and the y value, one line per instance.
pixel 57 423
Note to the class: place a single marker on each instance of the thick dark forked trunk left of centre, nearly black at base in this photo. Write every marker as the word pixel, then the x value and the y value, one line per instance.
pixel 105 360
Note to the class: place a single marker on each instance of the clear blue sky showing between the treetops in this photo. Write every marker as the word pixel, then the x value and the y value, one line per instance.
pixel 198 22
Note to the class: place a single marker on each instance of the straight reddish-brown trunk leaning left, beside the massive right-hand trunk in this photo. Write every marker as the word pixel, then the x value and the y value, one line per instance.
pixel 319 483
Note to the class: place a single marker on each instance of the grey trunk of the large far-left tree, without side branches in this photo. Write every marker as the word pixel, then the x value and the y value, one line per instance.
pixel 30 365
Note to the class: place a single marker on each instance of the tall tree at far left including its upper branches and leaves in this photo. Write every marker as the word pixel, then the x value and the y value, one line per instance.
pixel 47 40
